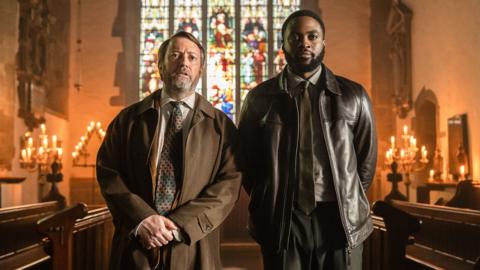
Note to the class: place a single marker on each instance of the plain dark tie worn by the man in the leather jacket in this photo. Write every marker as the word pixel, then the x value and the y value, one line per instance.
pixel 306 186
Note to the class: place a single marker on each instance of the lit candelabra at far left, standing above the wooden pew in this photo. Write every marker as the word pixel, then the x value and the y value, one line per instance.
pixel 43 155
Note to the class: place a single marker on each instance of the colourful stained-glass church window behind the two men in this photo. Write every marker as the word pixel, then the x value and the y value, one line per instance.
pixel 242 39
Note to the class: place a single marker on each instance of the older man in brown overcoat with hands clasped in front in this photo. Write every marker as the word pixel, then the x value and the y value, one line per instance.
pixel 167 170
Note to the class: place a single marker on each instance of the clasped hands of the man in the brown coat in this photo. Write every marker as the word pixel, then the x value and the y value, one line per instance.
pixel 155 231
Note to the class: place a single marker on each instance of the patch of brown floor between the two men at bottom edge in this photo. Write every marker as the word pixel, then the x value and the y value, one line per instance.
pixel 241 256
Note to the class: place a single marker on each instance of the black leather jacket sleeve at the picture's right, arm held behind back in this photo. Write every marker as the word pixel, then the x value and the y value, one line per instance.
pixel 365 141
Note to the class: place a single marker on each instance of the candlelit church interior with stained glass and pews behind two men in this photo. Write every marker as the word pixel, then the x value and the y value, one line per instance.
pixel 68 67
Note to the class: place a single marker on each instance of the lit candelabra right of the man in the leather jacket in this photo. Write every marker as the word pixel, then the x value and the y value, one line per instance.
pixel 405 156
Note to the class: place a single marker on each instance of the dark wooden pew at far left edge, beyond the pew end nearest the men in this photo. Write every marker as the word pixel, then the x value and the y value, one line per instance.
pixel 21 245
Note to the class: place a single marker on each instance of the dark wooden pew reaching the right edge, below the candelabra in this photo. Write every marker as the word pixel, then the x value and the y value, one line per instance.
pixel 449 237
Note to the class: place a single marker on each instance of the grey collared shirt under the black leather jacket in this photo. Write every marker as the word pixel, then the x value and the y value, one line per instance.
pixel 324 190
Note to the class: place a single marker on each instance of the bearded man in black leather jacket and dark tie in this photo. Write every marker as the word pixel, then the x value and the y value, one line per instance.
pixel 309 154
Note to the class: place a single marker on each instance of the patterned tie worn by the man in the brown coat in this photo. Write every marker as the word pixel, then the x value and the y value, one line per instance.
pixel 169 169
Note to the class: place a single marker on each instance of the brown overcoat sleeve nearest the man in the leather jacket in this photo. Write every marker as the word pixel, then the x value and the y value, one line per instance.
pixel 202 215
